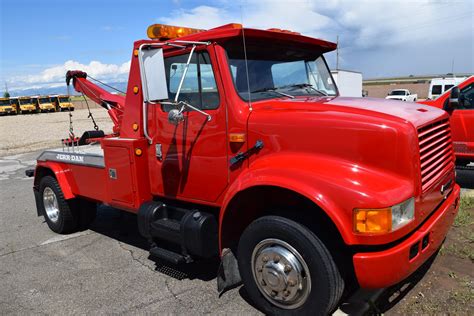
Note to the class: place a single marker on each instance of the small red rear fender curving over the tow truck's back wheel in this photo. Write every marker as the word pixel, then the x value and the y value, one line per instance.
pixel 61 173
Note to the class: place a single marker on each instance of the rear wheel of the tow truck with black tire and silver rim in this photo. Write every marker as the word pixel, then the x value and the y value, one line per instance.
pixel 65 218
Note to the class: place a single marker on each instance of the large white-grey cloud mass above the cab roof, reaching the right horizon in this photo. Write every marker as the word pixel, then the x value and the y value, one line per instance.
pixel 404 28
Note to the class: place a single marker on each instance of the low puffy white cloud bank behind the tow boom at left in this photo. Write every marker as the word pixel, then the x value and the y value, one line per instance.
pixel 55 76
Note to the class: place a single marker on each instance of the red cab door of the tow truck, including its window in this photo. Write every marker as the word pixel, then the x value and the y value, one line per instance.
pixel 189 160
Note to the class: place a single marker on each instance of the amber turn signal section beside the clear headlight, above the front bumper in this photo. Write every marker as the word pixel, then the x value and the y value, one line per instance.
pixel 373 220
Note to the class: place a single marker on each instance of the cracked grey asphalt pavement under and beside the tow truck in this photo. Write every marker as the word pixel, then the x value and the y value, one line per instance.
pixel 105 269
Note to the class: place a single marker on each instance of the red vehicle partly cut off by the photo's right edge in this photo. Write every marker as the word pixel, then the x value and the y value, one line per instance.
pixel 459 102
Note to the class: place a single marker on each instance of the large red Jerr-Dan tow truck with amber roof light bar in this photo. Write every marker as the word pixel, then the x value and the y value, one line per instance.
pixel 233 142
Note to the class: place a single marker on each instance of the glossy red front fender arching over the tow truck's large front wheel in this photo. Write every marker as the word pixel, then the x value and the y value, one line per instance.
pixel 336 186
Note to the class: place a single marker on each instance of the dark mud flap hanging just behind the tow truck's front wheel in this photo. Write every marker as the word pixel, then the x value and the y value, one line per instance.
pixel 228 275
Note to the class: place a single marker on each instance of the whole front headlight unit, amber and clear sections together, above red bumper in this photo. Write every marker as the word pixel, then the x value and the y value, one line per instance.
pixel 384 220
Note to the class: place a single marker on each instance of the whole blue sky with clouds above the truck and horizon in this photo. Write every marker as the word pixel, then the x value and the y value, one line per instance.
pixel 41 40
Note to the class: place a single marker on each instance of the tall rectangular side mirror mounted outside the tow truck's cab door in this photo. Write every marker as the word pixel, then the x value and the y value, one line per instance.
pixel 152 73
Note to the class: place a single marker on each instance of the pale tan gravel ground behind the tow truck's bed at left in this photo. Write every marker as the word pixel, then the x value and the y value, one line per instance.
pixel 26 133
